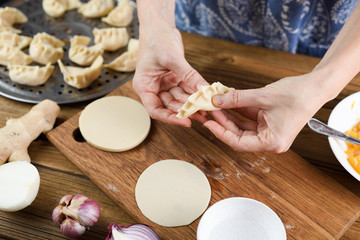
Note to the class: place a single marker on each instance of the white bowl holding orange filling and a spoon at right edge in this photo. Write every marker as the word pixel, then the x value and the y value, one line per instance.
pixel 343 117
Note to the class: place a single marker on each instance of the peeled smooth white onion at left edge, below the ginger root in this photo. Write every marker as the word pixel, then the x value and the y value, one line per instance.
pixel 19 185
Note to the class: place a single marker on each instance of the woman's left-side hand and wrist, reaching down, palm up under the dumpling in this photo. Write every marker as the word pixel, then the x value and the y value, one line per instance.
pixel 163 78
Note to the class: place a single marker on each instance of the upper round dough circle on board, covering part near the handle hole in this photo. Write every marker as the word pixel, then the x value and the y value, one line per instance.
pixel 114 123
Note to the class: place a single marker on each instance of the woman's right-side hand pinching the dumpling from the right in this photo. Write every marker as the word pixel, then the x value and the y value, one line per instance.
pixel 274 114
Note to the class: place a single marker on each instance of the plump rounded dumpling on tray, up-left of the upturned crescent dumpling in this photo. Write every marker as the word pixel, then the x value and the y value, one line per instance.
pixel 46 48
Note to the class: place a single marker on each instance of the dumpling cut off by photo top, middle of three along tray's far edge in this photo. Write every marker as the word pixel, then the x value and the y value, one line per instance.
pixel 96 8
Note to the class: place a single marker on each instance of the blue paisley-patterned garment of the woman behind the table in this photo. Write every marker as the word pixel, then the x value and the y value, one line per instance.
pixel 297 26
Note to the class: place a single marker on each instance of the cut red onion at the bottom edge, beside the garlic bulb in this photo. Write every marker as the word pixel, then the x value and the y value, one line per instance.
pixel 131 232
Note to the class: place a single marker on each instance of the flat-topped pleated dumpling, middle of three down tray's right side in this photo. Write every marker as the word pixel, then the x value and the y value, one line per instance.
pixel 111 38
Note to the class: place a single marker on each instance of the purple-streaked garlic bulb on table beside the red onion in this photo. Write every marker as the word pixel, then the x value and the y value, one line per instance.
pixel 75 213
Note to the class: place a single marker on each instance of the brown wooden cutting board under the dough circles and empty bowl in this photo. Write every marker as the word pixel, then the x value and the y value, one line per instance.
pixel 310 204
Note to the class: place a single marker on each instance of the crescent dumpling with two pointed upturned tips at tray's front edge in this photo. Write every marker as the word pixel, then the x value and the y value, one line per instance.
pixel 81 77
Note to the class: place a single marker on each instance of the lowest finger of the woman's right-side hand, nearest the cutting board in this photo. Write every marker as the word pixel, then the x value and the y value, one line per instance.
pixel 247 142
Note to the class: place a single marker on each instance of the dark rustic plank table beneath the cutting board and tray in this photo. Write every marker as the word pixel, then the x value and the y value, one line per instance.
pixel 234 65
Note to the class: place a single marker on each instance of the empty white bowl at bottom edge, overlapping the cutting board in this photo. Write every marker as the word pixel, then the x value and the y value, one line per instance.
pixel 240 218
